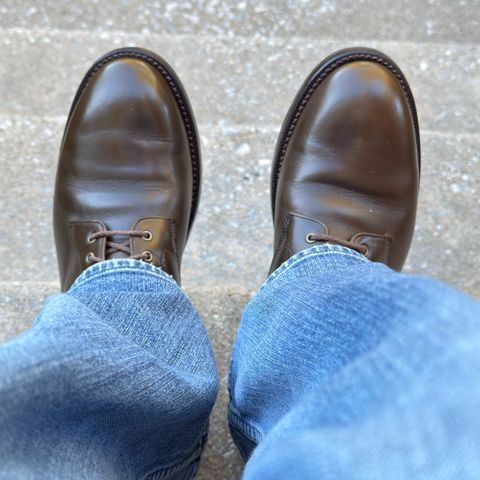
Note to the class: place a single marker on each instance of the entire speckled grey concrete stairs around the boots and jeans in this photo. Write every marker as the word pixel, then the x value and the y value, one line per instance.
pixel 241 63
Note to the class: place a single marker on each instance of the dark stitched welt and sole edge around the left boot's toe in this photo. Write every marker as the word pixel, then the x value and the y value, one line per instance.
pixel 181 98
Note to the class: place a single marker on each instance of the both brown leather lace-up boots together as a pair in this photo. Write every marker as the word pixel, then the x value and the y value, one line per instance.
pixel 345 170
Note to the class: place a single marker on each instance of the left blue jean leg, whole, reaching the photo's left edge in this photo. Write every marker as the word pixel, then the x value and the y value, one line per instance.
pixel 115 380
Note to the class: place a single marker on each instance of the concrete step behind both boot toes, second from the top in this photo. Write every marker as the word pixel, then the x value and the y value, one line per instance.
pixel 237 80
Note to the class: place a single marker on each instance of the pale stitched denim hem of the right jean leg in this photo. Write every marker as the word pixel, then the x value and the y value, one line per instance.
pixel 316 259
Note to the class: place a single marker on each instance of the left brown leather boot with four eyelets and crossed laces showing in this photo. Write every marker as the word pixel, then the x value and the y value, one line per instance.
pixel 128 178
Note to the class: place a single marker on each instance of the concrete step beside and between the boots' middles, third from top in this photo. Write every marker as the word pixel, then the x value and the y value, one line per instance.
pixel 232 239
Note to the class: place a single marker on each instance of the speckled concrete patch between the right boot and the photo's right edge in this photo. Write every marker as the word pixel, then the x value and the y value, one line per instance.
pixel 446 241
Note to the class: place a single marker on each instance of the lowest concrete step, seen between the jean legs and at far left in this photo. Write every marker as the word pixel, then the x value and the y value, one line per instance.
pixel 220 309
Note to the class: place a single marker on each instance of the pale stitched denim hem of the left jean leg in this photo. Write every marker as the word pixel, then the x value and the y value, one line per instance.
pixel 122 268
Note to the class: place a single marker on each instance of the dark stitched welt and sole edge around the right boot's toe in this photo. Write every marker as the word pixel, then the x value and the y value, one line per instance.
pixel 320 73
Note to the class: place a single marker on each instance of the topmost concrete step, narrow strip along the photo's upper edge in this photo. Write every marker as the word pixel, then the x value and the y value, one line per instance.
pixel 442 20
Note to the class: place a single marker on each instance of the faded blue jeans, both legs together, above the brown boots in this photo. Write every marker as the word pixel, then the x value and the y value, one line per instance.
pixel 342 369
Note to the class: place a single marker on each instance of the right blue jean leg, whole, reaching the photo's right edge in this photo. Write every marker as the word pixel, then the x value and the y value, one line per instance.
pixel 345 369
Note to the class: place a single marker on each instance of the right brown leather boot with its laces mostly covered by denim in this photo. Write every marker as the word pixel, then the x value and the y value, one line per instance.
pixel 347 163
